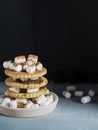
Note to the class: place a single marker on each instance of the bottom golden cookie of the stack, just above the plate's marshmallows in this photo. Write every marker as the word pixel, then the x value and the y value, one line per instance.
pixel 28 95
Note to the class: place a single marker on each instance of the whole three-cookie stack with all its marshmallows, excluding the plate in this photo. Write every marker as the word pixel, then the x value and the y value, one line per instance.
pixel 27 84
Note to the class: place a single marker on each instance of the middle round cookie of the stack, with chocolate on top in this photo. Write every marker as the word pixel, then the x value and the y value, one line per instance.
pixel 10 82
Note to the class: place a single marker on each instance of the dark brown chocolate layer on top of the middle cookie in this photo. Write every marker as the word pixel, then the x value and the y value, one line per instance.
pixel 38 81
